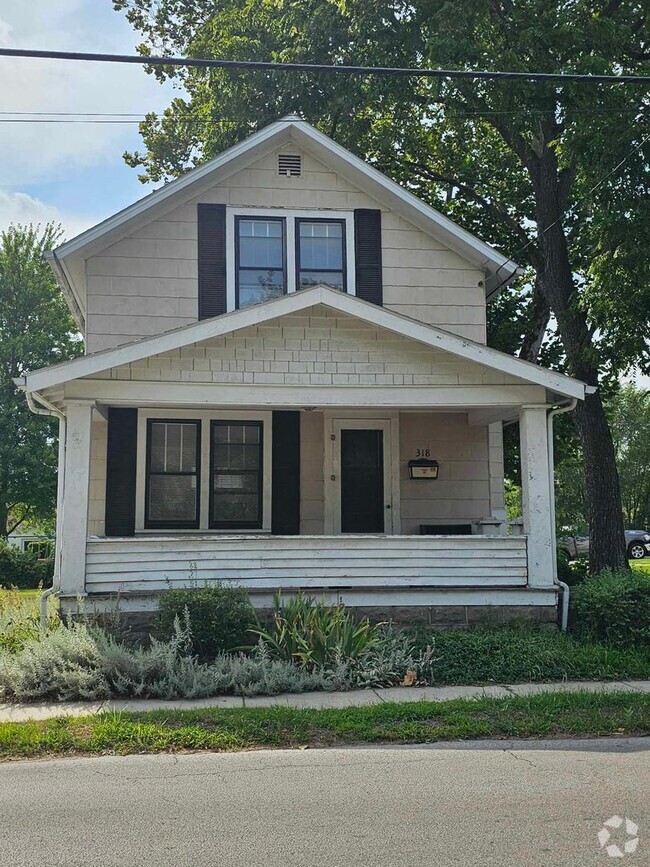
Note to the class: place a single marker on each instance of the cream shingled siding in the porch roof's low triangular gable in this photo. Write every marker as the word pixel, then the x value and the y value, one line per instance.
pixel 322 348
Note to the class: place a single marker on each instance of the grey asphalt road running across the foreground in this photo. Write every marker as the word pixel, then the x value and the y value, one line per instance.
pixel 468 804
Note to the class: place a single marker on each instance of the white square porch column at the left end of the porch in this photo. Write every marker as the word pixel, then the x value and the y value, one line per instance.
pixel 76 486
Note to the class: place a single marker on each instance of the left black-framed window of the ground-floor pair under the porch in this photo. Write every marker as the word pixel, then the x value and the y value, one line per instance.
pixel 173 473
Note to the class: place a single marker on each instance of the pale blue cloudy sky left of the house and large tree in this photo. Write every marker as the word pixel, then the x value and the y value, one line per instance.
pixel 68 172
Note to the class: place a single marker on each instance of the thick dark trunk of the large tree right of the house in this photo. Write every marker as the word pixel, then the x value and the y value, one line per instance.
pixel 555 281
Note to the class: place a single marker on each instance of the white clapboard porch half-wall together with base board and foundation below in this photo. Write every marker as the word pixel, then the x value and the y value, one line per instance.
pixel 436 580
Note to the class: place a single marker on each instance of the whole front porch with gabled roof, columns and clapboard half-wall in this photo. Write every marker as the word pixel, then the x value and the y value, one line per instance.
pixel 274 447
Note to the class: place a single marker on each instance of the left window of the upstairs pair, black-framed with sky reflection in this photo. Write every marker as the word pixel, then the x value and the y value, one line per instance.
pixel 260 260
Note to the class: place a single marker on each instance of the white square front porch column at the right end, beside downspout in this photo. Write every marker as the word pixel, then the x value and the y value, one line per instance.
pixel 536 497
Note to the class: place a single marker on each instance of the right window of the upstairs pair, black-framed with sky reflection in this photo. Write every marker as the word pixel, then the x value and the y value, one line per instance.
pixel 320 254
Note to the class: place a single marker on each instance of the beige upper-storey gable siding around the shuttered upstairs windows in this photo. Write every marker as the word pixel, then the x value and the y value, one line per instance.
pixel 146 283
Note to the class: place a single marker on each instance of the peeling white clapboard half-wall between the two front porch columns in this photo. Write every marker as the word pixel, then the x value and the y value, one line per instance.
pixel 266 562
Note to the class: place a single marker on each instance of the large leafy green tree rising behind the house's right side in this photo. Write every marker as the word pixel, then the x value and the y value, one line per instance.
pixel 551 173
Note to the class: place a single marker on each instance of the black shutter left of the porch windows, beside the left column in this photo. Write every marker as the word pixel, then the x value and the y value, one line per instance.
pixel 120 471
